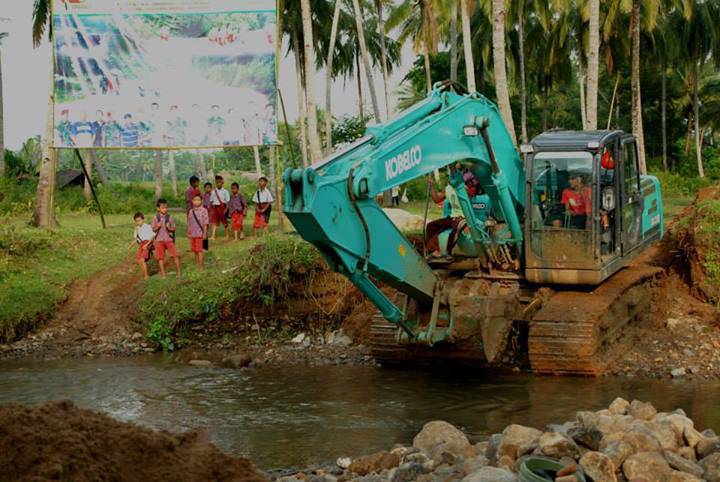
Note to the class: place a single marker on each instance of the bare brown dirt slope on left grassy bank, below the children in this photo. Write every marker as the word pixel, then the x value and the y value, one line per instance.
pixel 99 316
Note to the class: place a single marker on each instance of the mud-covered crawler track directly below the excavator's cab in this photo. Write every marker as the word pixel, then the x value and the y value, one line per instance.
pixel 574 333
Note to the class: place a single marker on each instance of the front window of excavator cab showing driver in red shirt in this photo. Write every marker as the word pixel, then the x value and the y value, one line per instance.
pixel 562 194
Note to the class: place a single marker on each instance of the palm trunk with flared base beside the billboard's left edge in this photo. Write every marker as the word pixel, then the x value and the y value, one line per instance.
pixel 44 210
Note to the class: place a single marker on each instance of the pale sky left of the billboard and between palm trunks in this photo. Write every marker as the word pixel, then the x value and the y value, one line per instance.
pixel 27 78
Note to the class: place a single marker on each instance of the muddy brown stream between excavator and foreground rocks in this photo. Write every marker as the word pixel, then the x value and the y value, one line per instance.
pixel 297 416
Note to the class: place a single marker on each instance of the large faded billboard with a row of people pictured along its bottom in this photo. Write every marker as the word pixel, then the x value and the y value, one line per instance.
pixel 139 74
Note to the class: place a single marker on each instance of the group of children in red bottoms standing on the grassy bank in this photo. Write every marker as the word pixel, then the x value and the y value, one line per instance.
pixel 205 210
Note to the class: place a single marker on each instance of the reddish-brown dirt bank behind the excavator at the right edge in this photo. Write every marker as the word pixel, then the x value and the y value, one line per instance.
pixel 692 246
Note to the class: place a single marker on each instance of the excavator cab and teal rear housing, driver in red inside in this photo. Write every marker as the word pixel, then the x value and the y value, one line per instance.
pixel 589 208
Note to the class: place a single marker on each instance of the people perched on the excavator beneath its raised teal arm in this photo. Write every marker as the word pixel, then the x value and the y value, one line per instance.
pixel 453 217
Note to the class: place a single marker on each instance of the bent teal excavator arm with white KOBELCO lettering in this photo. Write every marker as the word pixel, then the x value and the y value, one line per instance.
pixel 332 204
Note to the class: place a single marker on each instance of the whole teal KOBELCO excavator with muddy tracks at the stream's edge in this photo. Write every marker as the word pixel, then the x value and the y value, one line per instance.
pixel 551 279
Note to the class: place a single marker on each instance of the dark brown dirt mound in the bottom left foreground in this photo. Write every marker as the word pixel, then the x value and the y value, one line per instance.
pixel 58 441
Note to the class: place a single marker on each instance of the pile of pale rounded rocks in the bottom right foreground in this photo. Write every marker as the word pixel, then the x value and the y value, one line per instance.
pixel 625 442
